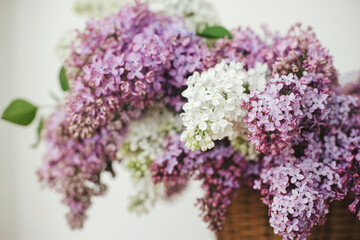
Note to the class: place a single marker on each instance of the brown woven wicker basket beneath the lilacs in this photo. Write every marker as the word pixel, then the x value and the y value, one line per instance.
pixel 248 220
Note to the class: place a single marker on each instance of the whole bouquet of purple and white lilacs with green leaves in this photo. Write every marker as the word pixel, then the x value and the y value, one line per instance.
pixel 228 108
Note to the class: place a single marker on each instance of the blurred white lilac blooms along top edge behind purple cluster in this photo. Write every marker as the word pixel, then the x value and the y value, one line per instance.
pixel 197 13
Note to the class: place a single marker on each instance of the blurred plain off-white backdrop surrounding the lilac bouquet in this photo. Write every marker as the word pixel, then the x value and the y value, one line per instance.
pixel 29 32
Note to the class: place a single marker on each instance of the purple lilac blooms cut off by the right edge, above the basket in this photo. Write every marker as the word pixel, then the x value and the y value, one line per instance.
pixel 343 144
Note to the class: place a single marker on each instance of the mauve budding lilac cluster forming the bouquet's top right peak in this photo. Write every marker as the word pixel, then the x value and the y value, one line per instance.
pixel 301 52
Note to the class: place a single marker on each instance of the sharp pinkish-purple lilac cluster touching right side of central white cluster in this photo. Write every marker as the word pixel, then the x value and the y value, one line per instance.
pixel 279 112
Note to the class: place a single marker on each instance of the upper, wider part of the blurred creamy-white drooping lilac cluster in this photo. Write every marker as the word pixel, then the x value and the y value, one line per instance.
pixel 144 139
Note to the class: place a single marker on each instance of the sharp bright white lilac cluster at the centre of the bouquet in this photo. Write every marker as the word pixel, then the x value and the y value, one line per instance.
pixel 213 109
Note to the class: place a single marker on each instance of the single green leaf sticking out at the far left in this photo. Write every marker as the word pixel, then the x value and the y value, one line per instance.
pixel 20 112
